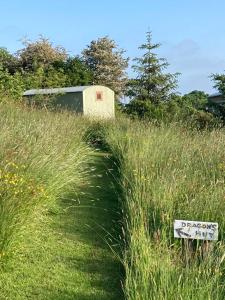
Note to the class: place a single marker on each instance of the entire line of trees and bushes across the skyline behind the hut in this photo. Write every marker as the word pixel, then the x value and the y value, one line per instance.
pixel 152 92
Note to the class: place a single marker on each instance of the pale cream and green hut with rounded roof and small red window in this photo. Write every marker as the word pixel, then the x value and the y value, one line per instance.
pixel 96 100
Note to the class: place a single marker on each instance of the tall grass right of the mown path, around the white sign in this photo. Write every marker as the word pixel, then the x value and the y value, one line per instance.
pixel 170 173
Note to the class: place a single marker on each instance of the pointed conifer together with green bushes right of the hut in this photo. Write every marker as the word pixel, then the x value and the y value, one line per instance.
pixel 153 93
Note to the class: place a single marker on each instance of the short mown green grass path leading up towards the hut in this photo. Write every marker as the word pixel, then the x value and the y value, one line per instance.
pixel 68 256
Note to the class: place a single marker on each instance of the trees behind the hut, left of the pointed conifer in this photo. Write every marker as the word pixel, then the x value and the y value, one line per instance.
pixel 40 64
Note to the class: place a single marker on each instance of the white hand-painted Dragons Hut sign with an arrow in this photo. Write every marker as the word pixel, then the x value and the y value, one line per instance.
pixel 196 230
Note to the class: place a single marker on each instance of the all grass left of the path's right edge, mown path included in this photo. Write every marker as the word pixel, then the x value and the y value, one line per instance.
pixel 58 210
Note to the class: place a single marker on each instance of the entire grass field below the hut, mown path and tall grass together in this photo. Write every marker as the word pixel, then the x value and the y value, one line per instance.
pixel 65 235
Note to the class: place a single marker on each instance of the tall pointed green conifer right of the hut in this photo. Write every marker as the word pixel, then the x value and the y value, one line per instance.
pixel 151 84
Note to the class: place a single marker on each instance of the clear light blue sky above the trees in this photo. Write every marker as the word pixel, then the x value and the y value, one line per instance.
pixel 191 32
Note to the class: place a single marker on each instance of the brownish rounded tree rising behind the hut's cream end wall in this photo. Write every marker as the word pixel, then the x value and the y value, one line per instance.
pixel 107 64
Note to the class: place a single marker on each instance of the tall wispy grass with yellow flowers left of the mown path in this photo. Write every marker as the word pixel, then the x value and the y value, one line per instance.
pixel 42 157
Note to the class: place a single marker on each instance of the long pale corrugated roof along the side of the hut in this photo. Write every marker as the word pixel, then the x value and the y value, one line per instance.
pixel 72 89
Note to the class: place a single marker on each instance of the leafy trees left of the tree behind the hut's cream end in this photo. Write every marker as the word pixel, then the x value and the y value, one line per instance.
pixel 39 65
